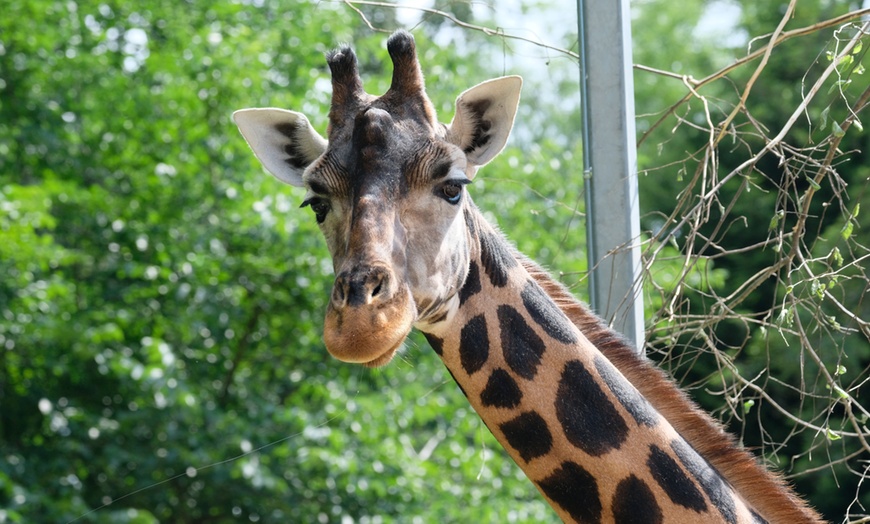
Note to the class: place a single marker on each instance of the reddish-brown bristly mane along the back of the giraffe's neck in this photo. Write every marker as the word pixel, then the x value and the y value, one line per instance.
pixel 768 492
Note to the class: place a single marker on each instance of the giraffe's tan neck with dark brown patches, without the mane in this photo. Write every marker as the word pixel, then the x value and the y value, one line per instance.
pixel 594 446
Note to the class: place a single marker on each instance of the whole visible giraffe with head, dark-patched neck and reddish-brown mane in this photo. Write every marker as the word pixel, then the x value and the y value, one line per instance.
pixel 604 435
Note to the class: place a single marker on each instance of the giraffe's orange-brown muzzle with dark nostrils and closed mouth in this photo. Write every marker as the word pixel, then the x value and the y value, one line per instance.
pixel 368 316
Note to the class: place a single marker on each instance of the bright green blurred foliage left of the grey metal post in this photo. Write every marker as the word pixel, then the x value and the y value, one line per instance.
pixel 161 297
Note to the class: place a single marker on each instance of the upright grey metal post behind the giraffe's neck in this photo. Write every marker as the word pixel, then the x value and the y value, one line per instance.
pixel 610 165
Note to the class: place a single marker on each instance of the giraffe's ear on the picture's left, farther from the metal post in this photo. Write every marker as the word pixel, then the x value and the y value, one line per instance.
pixel 284 141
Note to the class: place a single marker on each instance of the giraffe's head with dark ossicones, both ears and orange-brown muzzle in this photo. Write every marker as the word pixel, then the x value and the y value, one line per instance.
pixel 387 188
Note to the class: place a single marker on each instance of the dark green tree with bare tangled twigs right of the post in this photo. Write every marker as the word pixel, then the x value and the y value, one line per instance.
pixel 767 312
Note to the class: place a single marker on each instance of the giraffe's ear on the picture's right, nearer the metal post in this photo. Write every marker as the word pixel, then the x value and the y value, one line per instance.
pixel 484 118
